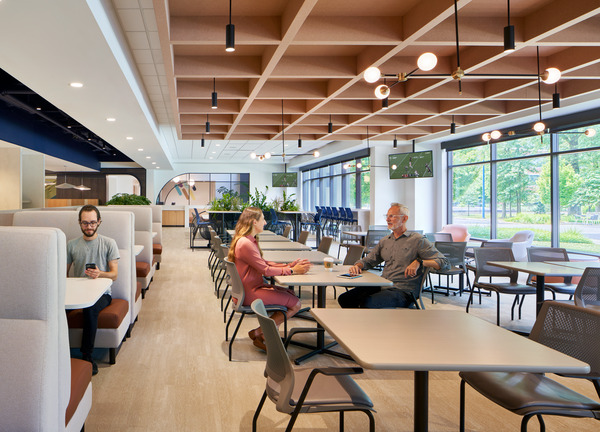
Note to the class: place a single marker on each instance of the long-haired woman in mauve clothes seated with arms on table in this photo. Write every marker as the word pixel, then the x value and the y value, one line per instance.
pixel 247 256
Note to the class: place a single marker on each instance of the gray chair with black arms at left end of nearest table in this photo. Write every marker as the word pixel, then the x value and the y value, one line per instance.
pixel 305 390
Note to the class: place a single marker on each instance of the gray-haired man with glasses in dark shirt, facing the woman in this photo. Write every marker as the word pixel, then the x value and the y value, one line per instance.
pixel 405 255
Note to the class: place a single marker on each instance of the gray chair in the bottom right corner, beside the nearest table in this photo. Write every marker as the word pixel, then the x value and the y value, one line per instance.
pixel 566 328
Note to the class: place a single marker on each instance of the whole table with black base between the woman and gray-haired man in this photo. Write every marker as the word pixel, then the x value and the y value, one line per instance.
pixel 320 277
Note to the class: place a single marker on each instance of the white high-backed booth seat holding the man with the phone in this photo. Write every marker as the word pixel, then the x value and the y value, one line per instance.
pixel 115 320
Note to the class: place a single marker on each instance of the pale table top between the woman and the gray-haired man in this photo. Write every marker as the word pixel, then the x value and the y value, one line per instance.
pixel 320 276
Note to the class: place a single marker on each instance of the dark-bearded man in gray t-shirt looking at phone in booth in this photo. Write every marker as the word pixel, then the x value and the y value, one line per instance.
pixel 92 248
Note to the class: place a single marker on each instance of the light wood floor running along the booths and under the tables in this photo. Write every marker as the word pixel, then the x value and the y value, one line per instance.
pixel 173 373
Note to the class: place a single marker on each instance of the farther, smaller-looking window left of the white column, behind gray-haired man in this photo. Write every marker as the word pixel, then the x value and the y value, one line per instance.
pixel 340 184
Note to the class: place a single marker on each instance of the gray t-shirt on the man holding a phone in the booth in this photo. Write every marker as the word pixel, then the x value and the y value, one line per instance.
pixel 100 251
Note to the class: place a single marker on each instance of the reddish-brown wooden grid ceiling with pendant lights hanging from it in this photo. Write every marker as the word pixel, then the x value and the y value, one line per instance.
pixel 311 54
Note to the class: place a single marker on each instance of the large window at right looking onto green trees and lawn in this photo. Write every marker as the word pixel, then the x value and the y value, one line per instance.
pixel 548 184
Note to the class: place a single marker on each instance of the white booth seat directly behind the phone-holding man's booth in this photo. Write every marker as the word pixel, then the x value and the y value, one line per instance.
pixel 143 236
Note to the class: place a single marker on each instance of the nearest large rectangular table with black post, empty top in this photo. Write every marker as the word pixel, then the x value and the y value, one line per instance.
pixel 436 340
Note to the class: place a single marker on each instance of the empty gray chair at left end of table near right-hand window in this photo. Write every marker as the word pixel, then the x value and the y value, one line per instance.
pixel 483 269
